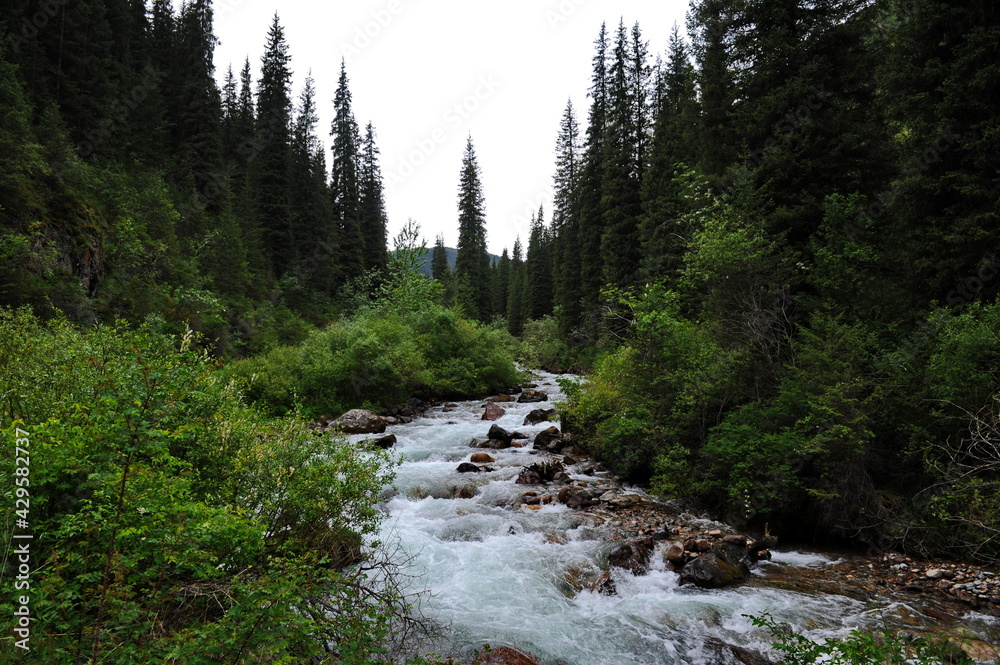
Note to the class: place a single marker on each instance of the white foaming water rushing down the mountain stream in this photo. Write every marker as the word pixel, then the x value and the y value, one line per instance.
pixel 502 574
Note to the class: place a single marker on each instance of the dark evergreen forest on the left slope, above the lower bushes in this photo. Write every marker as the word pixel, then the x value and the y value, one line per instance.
pixel 132 186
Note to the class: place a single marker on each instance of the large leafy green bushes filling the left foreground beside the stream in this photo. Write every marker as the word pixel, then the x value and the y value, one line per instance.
pixel 174 523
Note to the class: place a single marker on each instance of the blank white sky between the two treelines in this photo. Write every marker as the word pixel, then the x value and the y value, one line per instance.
pixel 428 73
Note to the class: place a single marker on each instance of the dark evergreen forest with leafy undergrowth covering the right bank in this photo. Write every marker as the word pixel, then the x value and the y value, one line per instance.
pixel 782 237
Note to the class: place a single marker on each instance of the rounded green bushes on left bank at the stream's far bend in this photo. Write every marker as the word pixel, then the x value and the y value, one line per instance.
pixel 400 342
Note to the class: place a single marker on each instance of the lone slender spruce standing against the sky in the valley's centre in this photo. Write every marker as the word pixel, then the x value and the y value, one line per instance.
pixel 472 263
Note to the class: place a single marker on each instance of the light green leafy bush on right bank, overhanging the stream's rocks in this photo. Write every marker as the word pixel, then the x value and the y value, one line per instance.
pixel 650 402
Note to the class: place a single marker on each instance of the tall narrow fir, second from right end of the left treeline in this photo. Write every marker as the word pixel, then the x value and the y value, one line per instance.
pixel 345 189
